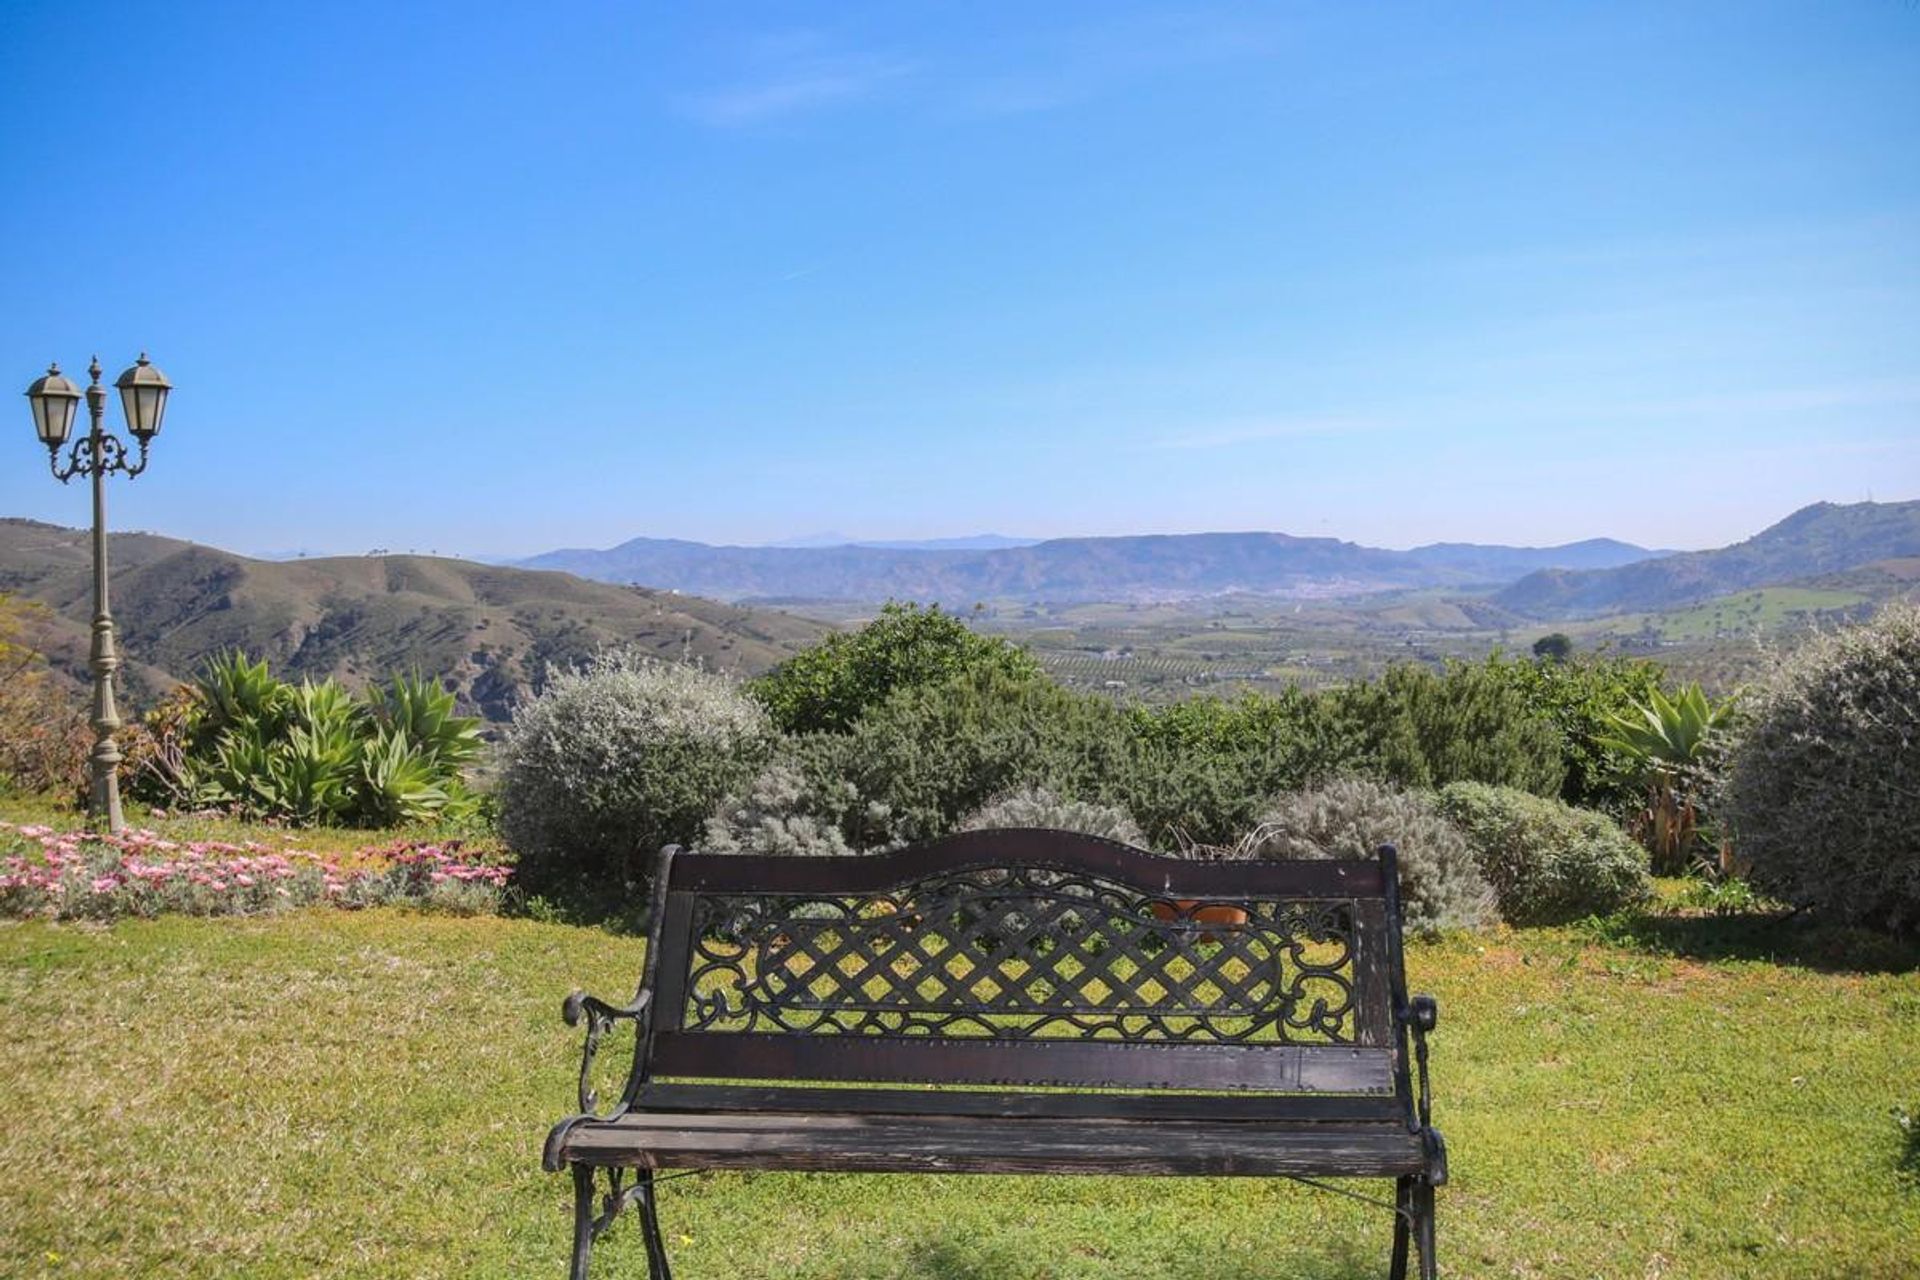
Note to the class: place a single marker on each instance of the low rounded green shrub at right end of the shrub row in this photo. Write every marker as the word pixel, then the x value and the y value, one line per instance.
pixel 1547 861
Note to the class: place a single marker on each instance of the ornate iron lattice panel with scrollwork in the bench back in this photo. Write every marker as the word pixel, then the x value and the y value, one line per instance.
pixel 1024 953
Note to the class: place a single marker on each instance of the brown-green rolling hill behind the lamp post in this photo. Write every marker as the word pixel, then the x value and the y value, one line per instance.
pixel 489 630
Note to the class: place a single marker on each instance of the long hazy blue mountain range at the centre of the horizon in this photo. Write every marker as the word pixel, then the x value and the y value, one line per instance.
pixel 1076 569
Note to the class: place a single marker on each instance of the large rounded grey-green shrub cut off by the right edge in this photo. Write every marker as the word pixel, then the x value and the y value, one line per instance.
pixel 1823 790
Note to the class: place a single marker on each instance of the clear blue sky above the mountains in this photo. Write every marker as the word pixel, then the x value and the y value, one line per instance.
pixel 496 279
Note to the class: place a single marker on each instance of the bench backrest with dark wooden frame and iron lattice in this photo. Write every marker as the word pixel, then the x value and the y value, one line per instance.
pixel 1030 959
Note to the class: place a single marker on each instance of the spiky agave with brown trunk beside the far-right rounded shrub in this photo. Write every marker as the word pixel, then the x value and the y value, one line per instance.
pixel 1668 746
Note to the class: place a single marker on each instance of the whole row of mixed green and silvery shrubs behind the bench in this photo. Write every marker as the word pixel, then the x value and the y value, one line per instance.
pixel 629 755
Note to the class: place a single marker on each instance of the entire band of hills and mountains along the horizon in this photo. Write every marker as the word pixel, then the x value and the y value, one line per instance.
pixel 492 630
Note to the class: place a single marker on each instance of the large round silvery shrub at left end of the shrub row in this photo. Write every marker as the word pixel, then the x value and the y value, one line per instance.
pixel 617 759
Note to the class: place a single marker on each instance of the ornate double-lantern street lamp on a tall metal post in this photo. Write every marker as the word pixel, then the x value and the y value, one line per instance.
pixel 99 454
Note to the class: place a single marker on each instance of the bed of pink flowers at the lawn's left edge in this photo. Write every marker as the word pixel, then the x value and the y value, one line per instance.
pixel 78 874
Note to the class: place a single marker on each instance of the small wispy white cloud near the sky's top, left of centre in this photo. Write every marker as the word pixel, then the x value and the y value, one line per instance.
pixel 794 76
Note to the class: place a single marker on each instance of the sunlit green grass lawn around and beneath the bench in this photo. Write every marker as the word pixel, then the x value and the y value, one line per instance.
pixel 364 1095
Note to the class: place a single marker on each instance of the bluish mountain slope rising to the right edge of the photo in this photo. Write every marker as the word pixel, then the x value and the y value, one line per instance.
pixel 1813 542
